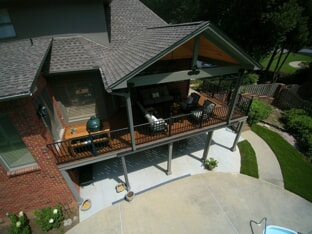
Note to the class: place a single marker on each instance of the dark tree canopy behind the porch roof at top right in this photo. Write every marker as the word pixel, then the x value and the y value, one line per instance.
pixel 258 26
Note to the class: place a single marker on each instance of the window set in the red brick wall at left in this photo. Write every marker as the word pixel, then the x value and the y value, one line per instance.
pixel 14 154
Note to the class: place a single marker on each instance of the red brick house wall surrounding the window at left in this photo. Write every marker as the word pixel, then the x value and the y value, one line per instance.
pixel 38 187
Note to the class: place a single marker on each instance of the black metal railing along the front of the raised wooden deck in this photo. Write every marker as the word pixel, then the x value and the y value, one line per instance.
pixel 102 143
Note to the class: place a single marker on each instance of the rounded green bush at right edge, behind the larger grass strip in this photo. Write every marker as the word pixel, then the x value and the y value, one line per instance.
pixel 299 123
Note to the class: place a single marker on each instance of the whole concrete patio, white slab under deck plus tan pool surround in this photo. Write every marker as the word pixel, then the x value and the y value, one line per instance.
pixel 192 199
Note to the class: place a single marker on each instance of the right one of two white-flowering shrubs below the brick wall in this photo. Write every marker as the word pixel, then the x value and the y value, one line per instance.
pixel 48 218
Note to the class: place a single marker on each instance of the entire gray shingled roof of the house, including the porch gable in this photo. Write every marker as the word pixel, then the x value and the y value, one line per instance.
pixel 138 38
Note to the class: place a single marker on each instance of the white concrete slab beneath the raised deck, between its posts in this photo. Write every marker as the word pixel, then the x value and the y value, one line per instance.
pixel 147 170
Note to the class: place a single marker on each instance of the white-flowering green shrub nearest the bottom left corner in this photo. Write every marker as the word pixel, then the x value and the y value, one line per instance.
pixel 19 224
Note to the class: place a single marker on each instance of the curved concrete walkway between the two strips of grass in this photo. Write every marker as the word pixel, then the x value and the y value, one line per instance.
pixel 268 166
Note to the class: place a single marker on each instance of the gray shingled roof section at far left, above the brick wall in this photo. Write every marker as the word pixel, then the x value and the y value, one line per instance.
pixel 20 64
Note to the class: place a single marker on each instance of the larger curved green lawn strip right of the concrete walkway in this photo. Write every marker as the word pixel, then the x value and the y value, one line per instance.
pixel 297 172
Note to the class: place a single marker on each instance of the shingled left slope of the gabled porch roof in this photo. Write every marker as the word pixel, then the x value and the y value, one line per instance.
pixel 131 57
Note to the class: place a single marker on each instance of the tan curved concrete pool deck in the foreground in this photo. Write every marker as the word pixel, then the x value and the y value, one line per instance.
pixel 204 203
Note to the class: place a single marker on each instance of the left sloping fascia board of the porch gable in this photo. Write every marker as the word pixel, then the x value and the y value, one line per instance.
pixel 159 56
